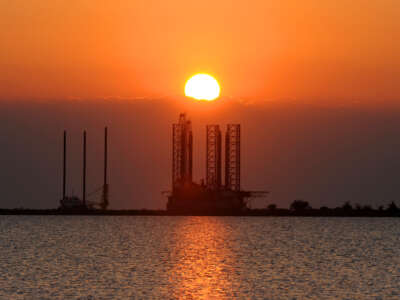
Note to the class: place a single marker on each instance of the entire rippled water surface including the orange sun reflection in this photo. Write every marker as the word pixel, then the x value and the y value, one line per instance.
pixel 113 257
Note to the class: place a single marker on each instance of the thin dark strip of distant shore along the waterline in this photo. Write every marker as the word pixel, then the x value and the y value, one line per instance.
pixel 248 213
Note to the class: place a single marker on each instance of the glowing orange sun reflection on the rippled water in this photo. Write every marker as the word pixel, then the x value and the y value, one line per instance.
pixel 203 266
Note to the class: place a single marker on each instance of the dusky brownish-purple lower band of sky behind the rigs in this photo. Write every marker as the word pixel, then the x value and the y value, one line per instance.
pixel 325 155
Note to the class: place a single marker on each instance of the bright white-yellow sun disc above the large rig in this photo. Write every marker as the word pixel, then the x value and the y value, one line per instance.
pixel 202 87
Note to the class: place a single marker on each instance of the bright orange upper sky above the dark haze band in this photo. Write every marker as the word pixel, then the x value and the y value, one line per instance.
pixel 341 50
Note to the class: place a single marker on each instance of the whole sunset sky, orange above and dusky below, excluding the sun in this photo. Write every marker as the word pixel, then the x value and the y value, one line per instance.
pixel 315 85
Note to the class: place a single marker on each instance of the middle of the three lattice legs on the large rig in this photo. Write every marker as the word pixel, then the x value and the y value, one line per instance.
pixel 213 157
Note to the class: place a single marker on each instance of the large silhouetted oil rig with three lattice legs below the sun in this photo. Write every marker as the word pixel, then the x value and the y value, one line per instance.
pixel 211 196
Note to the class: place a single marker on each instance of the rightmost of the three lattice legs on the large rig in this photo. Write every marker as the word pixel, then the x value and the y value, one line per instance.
pixel 232 157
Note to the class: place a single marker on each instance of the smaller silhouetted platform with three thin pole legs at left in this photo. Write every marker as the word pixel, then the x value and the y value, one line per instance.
pixel 74 203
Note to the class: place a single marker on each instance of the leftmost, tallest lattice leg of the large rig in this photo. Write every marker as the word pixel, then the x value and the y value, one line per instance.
pixel 182 151
